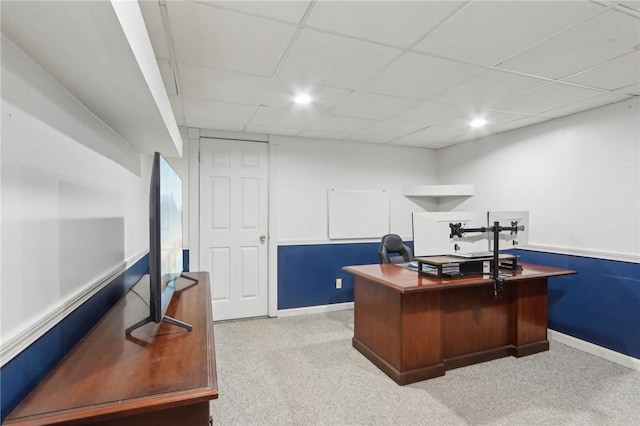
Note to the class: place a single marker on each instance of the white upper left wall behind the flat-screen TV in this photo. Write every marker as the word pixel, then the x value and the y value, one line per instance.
pixel 74 196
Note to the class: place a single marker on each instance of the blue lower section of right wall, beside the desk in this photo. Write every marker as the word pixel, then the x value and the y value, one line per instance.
pixel 601 304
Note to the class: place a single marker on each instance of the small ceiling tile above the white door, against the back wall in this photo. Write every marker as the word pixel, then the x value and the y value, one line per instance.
pixel 216 115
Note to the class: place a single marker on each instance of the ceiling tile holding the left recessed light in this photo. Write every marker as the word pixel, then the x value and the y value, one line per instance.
pixel 281 93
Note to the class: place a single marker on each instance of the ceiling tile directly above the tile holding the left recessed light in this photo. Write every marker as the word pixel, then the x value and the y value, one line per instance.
pixel 330 60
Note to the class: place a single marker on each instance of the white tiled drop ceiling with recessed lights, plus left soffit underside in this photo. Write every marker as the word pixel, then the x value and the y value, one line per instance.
pixel 411 73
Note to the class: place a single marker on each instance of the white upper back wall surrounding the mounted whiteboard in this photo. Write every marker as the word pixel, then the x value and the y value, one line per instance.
pixel 306 169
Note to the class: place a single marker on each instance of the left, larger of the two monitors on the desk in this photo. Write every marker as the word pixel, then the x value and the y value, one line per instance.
pixel 431 233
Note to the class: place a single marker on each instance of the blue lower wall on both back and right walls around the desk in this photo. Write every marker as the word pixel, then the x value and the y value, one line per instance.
pixel 601 304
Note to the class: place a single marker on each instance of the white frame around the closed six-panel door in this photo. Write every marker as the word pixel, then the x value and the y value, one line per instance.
pixel 194 139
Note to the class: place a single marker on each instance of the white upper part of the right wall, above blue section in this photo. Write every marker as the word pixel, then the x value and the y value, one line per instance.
pixel 577 175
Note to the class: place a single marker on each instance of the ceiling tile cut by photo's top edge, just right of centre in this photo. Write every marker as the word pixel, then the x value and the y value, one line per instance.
pixel 381 21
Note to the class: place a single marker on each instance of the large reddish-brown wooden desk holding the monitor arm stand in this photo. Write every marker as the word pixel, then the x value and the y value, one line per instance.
pixel 416 327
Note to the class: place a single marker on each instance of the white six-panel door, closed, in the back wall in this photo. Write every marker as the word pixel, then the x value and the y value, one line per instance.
pixel 233 225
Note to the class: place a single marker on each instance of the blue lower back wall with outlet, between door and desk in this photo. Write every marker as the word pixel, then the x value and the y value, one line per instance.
pixel 307 273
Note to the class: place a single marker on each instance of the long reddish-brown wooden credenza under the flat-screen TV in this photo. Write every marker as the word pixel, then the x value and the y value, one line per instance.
pixel 160 375
